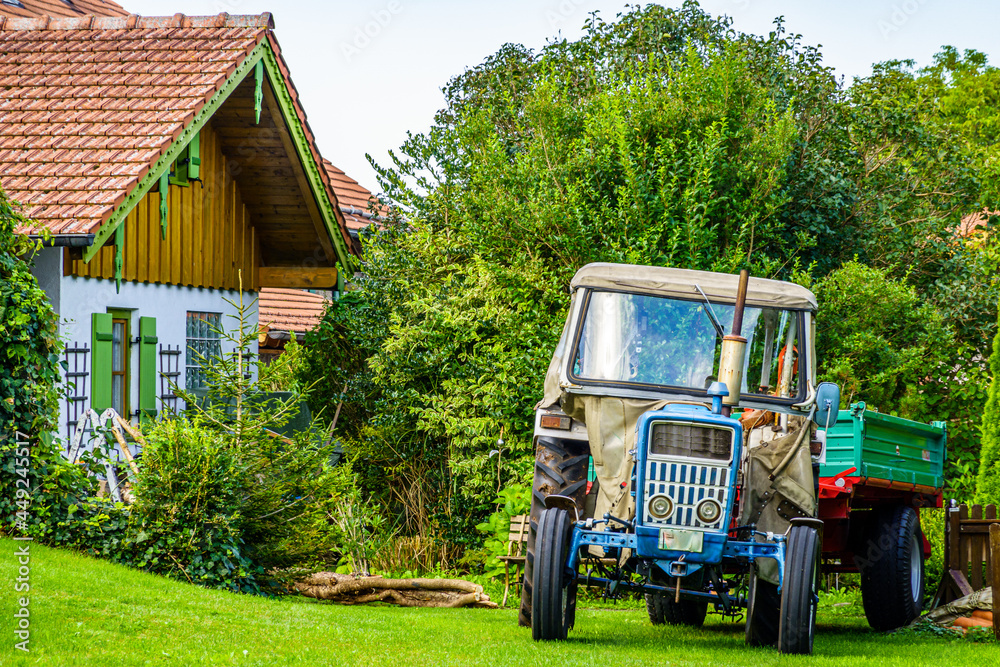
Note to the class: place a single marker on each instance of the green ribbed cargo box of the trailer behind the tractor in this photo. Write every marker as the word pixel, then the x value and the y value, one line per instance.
pixel 884 447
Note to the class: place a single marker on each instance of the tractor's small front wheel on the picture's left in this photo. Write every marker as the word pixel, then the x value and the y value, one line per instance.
pixel 554 603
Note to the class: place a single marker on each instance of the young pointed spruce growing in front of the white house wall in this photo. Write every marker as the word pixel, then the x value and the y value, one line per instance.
pixel 286 481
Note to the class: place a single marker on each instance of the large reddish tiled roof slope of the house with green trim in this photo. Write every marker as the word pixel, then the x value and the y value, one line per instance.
pixel 91 103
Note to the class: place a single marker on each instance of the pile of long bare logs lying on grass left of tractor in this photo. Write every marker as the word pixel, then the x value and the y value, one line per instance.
pixel 349 589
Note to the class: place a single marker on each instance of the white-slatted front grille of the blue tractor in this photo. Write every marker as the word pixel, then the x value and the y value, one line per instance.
pixel 670 471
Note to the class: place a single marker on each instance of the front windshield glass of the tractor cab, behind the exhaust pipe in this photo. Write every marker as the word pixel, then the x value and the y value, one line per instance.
pixel 649 340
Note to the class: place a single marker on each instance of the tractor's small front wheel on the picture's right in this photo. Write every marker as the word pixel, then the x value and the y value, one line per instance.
pixel 797 623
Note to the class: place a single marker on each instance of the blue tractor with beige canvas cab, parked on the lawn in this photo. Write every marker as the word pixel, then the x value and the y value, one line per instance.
pixel 648 384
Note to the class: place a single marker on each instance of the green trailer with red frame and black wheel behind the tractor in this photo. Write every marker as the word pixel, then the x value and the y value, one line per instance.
pixel 877 470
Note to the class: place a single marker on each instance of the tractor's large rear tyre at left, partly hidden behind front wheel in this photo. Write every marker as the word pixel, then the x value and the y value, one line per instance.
pixel 560 468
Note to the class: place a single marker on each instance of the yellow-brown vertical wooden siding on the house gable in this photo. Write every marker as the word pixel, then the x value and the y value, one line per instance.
pixel 210 237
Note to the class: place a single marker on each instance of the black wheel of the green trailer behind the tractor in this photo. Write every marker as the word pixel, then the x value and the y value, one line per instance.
pixel 892 569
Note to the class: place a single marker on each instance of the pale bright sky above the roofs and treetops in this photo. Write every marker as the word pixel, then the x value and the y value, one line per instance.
pixel 369 71
